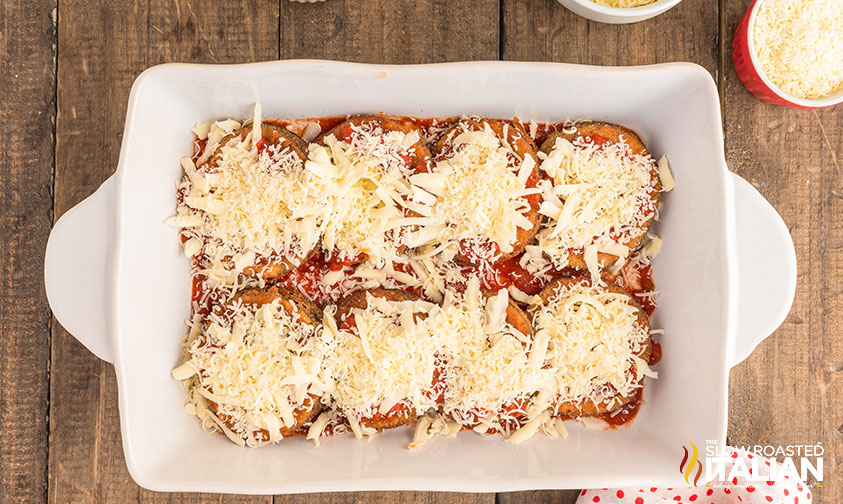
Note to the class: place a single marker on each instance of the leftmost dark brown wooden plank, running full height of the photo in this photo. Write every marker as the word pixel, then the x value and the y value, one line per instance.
pixel 27 112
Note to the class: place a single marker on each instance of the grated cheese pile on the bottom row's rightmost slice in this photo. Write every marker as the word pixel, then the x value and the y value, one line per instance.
pixel 594 338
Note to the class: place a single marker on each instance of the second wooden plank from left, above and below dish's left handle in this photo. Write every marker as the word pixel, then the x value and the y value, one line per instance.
pixel 103 46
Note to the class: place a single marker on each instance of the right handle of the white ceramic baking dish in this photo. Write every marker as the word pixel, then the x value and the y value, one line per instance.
pixel 766 269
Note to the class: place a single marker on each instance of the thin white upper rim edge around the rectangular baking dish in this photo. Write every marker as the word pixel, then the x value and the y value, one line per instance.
pixel 729 304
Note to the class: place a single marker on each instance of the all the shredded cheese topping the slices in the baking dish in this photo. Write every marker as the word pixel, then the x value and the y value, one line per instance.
pixel 250 370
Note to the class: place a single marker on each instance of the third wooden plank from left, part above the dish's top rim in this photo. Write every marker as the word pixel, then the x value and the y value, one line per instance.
pixel 386 31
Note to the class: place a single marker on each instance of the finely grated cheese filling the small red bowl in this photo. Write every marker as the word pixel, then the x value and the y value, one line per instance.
pixel 799 45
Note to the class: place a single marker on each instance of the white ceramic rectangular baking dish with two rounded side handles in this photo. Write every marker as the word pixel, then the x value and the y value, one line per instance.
pixel 116 277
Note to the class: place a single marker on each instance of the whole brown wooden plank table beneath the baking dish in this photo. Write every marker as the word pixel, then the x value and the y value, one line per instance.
pixel 65 73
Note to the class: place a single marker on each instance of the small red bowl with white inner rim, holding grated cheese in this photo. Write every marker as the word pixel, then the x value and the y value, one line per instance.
pixel 743 57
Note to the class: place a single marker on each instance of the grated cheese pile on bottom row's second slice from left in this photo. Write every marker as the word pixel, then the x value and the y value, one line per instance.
pixel 387 359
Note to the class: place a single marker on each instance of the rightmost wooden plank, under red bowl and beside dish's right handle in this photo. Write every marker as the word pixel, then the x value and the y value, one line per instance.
pixel 790 390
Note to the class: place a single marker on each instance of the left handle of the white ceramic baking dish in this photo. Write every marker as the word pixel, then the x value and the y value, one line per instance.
pixel 76 268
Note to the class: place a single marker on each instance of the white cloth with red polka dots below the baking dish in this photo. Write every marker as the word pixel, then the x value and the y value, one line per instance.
pixel 786 490
